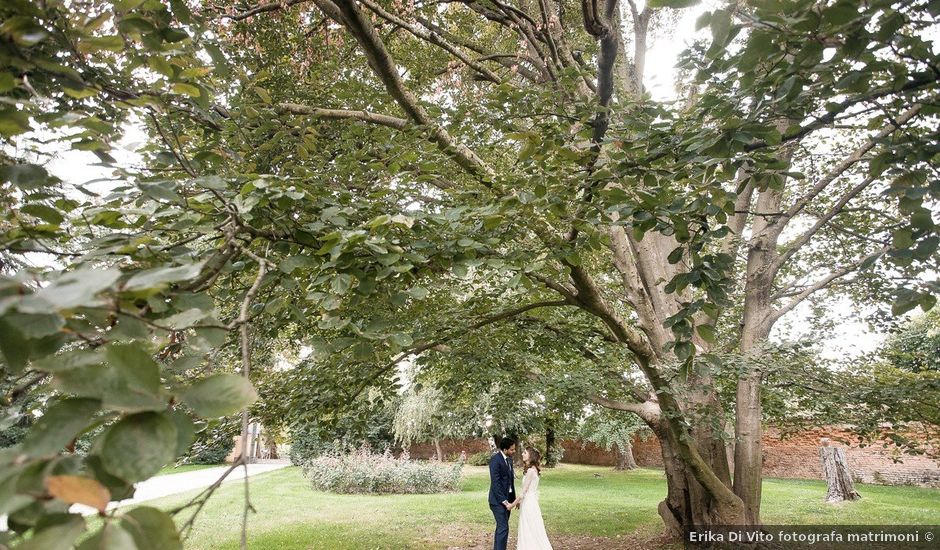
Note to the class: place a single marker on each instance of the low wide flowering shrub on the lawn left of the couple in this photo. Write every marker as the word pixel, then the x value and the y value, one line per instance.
pixel 366 472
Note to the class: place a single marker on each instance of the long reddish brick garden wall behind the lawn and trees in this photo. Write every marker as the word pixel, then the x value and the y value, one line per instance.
pixel 790 456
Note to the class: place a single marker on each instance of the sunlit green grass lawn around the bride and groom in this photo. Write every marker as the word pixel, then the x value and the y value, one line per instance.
pixel 576 503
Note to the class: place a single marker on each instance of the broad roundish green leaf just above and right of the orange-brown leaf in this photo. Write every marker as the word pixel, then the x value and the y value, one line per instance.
pixel 138 446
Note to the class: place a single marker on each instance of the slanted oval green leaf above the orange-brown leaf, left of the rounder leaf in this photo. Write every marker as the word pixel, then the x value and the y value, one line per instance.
pixel 59 425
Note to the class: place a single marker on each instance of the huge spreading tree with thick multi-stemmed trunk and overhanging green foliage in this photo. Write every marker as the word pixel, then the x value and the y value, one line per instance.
pixel 387 181
